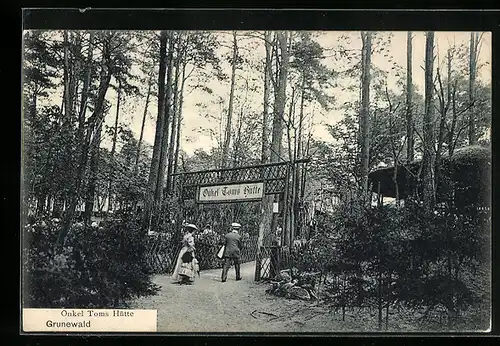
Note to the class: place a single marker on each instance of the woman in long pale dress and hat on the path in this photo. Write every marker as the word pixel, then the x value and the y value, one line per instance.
pixel 187 265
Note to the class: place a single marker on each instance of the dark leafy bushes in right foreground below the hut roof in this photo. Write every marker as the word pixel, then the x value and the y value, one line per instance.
pixel 434 265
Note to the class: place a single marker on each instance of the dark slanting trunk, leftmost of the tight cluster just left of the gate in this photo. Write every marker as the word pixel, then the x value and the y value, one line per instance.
pixel 155 162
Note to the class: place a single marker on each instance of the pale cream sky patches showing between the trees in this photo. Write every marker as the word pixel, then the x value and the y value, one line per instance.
pixel 200 107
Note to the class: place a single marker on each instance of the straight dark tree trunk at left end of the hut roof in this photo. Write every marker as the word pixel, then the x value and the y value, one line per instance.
pixel 365 112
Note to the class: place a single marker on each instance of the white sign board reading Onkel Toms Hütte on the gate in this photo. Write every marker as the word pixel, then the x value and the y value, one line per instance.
pixel 230 193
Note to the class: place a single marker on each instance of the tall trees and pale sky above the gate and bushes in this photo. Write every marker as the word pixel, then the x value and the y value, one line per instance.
pixel 239 98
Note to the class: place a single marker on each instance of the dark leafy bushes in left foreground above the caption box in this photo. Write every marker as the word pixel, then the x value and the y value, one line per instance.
pixel 98 267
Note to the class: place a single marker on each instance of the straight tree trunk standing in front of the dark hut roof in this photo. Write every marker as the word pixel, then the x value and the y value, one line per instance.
pixel 428 128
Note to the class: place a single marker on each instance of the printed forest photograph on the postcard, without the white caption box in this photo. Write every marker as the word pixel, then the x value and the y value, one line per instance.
pixel 259 181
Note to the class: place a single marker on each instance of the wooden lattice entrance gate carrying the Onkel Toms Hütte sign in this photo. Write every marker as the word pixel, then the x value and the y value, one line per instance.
pixel 247 184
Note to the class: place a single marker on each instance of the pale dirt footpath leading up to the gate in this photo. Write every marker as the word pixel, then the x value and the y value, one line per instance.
pixel 234 306
